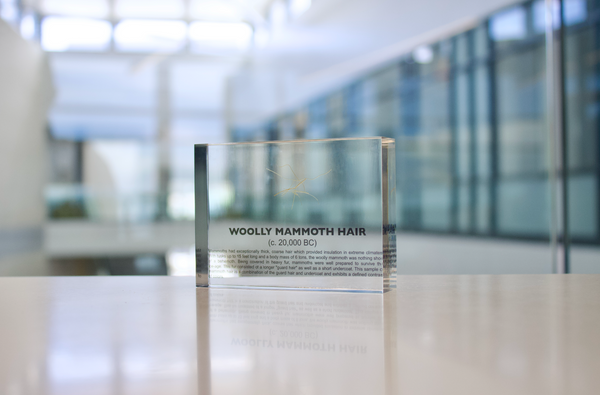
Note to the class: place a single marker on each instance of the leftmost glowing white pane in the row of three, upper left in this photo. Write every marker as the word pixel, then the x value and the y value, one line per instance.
pixel 75 34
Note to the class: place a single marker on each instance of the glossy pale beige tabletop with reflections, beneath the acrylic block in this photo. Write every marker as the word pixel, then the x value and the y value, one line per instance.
pixel 513 334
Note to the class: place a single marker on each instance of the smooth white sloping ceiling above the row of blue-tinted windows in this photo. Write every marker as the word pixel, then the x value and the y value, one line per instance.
pixel 336 41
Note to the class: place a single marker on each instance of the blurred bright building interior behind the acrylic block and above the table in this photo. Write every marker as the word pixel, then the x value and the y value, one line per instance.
pixel 494 106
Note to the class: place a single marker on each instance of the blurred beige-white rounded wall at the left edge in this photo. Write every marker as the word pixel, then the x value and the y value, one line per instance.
pixel 25 96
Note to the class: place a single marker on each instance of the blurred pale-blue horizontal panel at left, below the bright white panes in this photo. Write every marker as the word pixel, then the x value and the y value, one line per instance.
pixel 81 126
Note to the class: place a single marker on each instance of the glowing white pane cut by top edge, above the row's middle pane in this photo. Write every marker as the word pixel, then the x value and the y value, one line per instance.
pixel 150 9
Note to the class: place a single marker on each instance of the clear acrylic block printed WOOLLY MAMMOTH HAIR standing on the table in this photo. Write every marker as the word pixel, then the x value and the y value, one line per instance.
pixel 306 214
